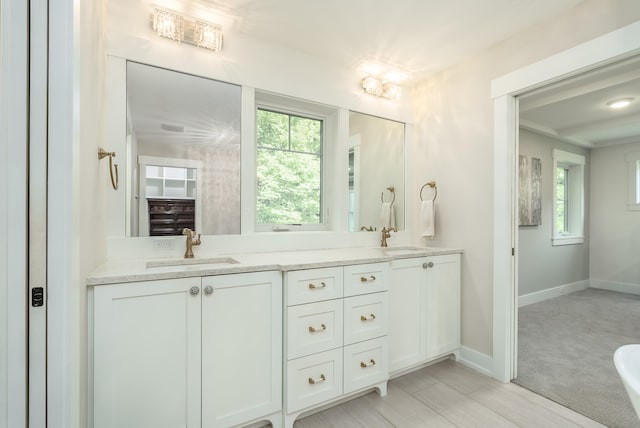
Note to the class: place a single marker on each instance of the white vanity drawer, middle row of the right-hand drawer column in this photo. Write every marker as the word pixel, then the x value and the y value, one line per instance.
pixel 365 317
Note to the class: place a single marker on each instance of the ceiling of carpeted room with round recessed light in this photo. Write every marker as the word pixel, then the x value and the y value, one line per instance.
pixel 576 110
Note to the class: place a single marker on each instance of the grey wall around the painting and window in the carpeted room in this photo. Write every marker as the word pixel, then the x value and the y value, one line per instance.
pixel 540 265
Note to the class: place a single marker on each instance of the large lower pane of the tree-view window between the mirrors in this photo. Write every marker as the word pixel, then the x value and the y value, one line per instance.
pixel 288 187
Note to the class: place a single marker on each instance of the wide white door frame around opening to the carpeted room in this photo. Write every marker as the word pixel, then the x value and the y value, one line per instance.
pixel 611 47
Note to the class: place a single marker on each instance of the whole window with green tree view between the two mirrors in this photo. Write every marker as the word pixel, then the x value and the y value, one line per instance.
pixel 289 170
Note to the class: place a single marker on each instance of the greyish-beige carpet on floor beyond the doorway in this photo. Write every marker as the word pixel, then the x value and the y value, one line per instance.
pixel 565 352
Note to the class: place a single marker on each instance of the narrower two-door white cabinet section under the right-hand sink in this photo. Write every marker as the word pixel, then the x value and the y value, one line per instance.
pixel 424 309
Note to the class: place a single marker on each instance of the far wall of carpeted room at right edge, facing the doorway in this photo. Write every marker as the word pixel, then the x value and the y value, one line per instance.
pixel 615 231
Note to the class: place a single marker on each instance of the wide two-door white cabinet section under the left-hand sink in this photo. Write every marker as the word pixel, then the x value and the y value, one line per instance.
pixel 189 352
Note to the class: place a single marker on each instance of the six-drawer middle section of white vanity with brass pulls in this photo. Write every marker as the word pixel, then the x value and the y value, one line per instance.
pixel 336 326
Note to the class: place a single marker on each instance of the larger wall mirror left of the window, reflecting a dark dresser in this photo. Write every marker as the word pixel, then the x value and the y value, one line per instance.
pixel 183 147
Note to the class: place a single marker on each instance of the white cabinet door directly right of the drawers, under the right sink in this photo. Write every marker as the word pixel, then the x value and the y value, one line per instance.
pixel 407 309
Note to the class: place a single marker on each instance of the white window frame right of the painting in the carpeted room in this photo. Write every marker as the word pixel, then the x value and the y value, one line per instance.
pixel 574 195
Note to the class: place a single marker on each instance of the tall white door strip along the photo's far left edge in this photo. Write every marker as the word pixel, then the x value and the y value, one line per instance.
pixel 13 211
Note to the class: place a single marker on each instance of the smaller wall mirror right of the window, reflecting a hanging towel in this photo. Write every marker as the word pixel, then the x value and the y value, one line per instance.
pixel 376 172
